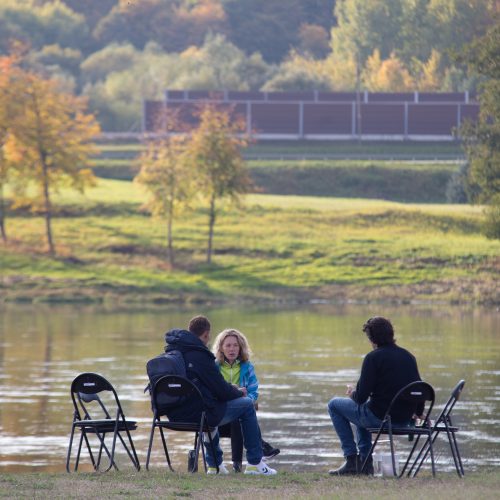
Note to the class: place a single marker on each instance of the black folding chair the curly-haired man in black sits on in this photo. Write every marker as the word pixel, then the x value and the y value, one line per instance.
pixel 412 395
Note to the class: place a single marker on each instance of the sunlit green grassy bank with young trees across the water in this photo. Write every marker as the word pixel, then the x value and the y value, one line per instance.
pixel 274 248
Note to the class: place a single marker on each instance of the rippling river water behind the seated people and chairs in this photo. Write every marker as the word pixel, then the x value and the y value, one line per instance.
pixel 303 357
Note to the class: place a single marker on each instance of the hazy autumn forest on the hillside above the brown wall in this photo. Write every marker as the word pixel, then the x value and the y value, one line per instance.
pixel 118 52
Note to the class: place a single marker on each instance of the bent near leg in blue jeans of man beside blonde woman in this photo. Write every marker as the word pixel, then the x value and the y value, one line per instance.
pixel 243 409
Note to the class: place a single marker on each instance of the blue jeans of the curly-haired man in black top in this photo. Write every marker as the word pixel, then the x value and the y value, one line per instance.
pixel 343 412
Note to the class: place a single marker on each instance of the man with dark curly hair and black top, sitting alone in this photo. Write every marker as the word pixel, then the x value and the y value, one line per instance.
pixel 385 370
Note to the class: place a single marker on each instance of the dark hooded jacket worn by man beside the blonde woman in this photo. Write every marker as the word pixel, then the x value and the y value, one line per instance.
pixel 203 372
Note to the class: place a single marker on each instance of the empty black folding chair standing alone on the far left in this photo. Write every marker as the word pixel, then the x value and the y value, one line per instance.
pixel 85 390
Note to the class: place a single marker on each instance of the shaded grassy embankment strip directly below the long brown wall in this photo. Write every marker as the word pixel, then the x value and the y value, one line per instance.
pixel 410 172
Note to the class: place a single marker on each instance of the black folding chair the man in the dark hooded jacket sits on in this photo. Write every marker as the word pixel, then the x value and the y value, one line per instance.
pixel 170 392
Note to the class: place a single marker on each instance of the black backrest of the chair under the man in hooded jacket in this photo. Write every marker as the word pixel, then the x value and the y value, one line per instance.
pixel 172 391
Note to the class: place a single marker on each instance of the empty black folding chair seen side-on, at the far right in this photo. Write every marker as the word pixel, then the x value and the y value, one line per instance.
pixel 443 423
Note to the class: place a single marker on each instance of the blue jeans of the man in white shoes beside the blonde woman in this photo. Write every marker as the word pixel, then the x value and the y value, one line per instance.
pixel 241 409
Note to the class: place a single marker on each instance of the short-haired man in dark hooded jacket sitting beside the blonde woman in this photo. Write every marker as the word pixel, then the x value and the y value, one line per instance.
pixel 223 402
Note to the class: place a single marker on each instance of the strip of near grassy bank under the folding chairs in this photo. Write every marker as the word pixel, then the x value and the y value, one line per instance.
pixel 157 484
